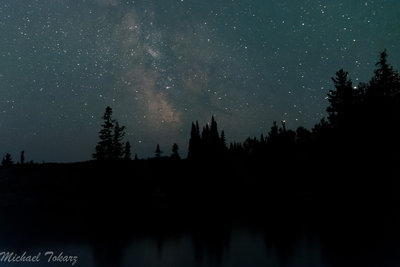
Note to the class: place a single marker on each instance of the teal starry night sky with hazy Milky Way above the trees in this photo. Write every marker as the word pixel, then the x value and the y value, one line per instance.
pixel 161 64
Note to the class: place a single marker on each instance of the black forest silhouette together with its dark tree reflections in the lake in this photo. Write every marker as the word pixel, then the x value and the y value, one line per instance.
pixel 340 178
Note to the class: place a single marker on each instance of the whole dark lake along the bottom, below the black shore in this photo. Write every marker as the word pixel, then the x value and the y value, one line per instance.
pixel 213 244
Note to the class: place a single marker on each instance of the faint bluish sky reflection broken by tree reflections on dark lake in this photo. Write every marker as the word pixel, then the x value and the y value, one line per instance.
pixel 234 247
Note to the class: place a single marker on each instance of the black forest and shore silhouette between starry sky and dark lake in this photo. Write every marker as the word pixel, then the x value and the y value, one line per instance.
pixel 349 160
